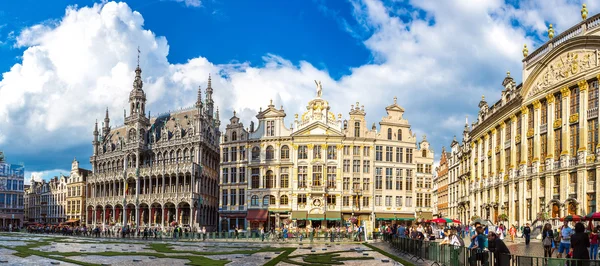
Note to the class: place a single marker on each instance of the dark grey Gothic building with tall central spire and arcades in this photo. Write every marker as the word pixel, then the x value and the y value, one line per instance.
pixel 153 171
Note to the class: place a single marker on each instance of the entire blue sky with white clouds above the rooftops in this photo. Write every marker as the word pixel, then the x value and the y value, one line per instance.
pixel 64 62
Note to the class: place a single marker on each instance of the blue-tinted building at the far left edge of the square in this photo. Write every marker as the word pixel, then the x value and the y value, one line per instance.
pixel 11 193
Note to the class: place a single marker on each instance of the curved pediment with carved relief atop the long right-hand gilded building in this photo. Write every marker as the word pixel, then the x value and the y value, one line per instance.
pixel 563 67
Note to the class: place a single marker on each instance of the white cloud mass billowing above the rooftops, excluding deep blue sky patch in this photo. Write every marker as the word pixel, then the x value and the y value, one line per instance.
pixel 438 66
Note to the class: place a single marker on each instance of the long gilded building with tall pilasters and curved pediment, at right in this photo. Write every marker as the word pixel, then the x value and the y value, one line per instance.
pixel 535 152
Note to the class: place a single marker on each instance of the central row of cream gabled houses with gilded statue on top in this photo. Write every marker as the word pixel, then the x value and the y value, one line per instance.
pixel 323 170
